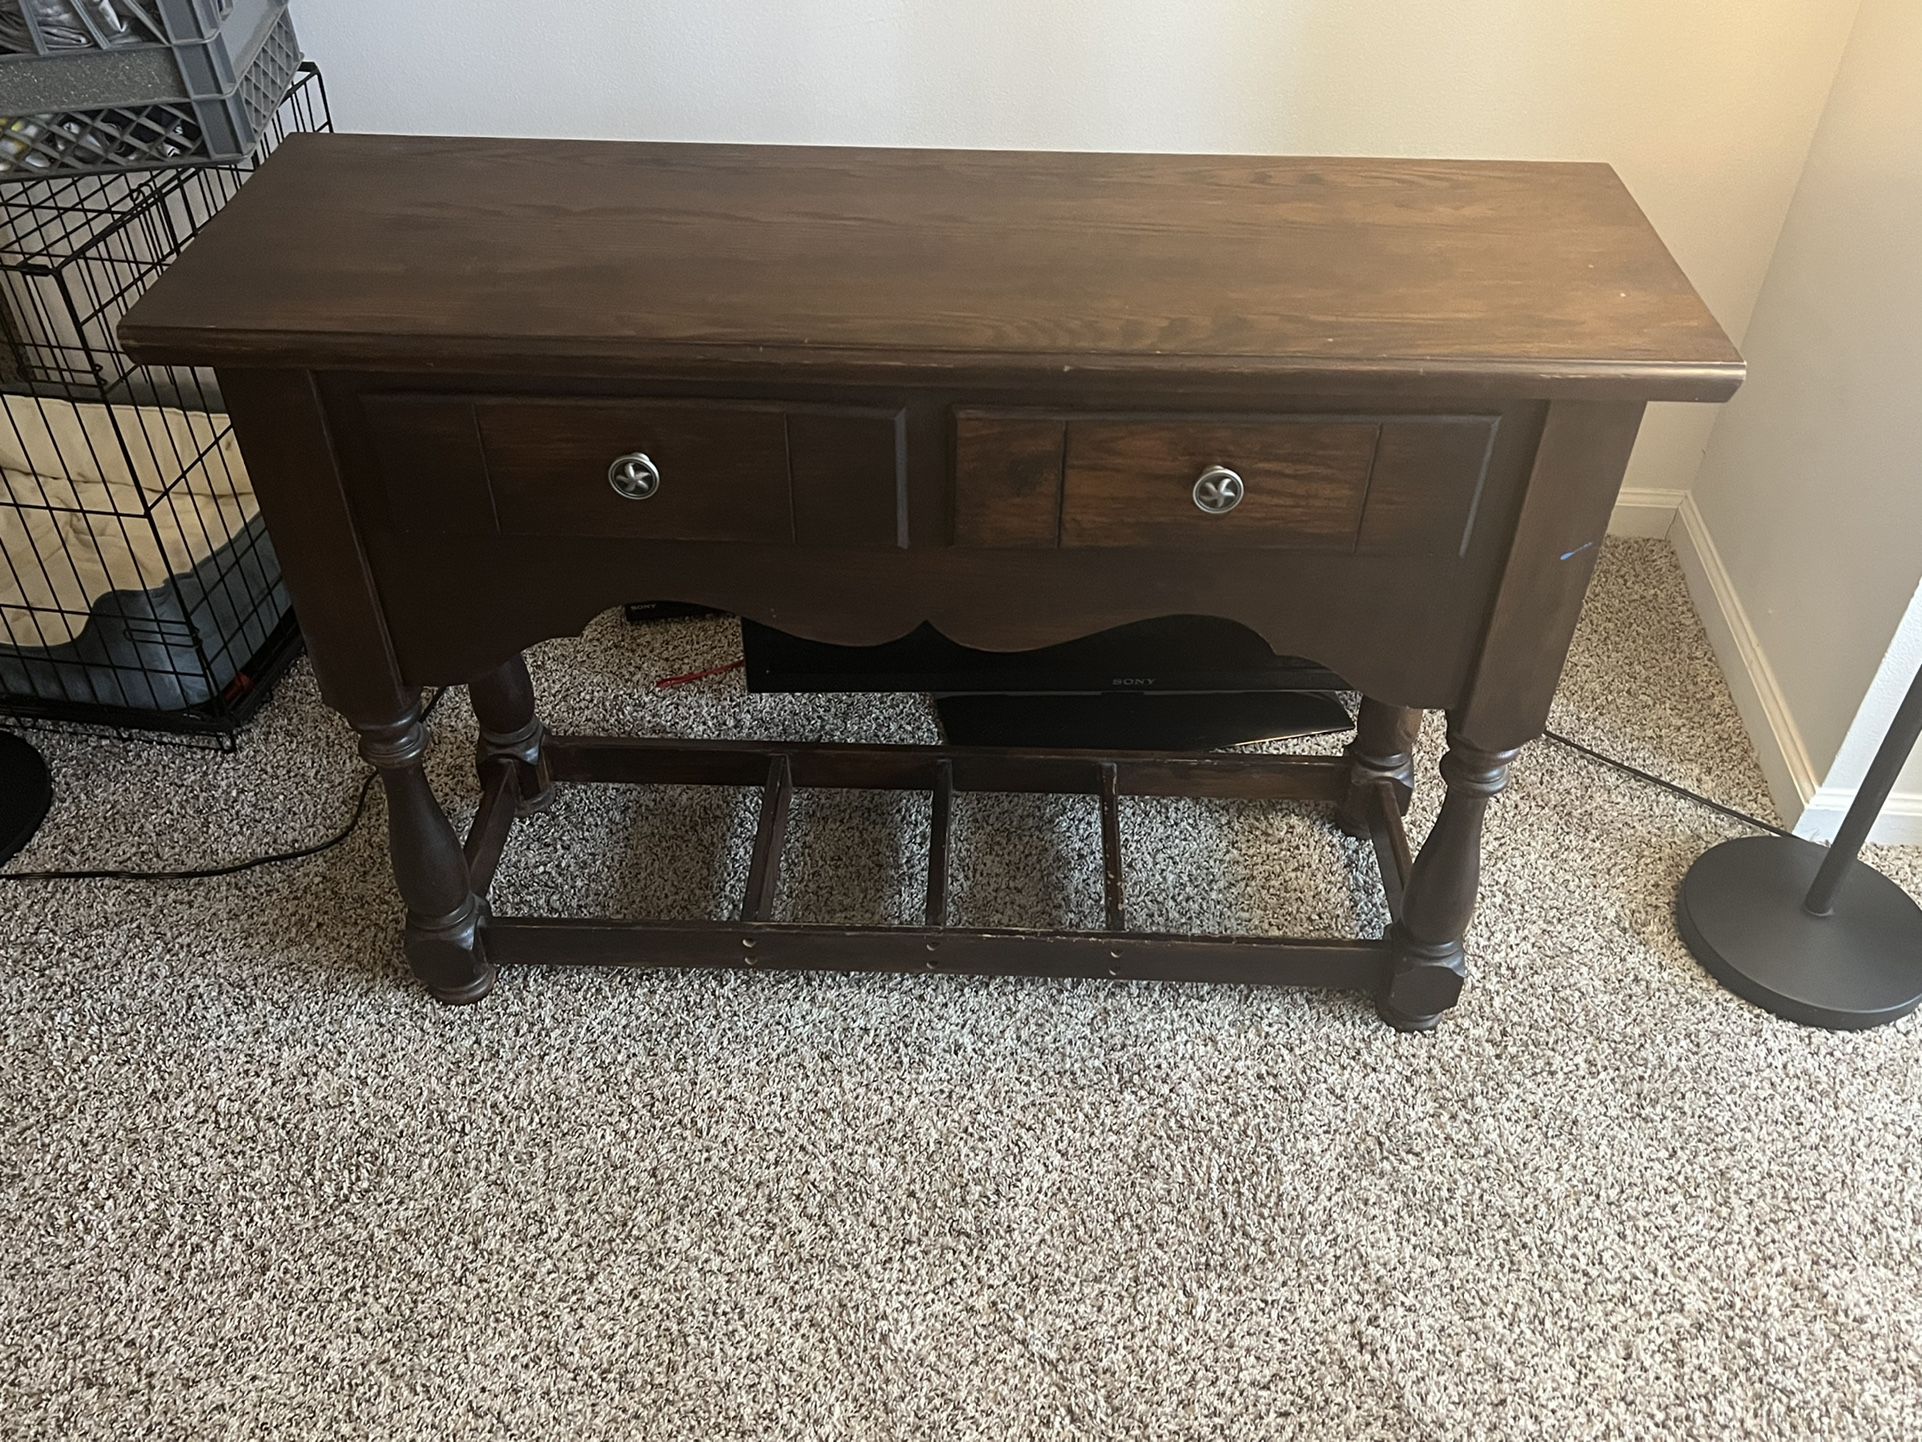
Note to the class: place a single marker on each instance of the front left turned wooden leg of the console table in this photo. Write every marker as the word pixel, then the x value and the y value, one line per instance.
pixel 445 916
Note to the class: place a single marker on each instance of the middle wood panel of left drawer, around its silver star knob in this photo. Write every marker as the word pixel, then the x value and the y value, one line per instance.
pixel 724 468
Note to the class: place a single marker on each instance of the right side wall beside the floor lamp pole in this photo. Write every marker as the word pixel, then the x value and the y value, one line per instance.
pixel 1811 491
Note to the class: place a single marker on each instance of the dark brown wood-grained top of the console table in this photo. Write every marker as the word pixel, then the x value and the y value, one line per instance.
pixel 595 255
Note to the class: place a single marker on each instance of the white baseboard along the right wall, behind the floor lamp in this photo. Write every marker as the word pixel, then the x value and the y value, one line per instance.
pixel 1813 810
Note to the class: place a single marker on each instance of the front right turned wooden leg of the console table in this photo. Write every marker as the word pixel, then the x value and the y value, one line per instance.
pixel 1425 970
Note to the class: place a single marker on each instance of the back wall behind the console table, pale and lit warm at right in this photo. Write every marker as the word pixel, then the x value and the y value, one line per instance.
pixel 1704 107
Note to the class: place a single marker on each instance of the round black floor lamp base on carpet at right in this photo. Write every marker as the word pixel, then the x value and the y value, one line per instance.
pixel 1742 916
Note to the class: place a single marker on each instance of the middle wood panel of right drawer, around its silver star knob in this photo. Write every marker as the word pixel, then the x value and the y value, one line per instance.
pixel 1131 484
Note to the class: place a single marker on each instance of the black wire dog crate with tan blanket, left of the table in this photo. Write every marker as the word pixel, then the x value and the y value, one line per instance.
pixel 139 591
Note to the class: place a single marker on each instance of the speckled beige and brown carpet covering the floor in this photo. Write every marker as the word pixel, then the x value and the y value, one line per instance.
pixel 255 1185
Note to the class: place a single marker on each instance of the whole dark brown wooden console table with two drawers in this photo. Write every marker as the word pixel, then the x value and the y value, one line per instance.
pixel 1375 410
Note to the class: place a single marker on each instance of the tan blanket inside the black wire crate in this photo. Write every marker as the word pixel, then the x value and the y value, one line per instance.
pixel 97 501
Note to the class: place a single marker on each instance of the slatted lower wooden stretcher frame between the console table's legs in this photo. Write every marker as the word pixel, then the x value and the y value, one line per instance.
pixel 756 943
